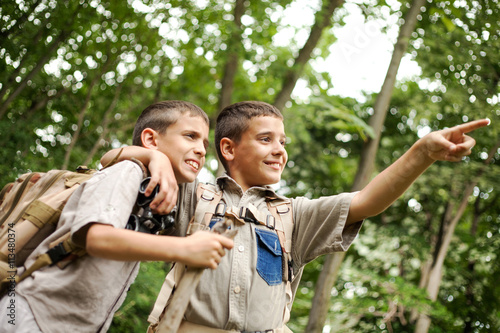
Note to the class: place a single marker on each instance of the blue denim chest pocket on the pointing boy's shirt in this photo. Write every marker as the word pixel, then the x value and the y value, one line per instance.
pixel 269 263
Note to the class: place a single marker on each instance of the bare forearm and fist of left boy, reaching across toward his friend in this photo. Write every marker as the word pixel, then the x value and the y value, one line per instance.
pixel 202 249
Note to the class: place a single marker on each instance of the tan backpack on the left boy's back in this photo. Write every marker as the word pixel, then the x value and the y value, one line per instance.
pixel 30 208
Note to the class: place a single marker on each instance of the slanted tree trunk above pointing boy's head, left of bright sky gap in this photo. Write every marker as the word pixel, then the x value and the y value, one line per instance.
pixel 323 21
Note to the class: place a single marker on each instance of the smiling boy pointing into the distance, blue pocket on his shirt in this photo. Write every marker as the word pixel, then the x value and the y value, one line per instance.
pixel 254 286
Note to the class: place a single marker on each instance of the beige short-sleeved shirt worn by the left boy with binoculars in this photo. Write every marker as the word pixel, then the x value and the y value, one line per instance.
pixel 84 296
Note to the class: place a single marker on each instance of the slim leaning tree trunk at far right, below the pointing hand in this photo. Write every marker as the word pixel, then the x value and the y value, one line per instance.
pixel 435 276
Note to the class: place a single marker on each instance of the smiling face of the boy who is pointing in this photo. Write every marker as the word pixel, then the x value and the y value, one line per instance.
pixel 259 157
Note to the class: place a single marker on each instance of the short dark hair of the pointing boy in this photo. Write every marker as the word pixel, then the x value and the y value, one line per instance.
pixel 234 119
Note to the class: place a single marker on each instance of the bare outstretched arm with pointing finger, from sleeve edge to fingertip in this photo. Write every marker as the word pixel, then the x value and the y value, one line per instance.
pixel 450 144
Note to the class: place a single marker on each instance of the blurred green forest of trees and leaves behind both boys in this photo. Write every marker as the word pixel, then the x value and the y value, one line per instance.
pixel 74 76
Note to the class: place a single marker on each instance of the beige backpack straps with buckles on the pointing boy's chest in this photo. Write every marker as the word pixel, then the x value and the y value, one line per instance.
pixel 209 209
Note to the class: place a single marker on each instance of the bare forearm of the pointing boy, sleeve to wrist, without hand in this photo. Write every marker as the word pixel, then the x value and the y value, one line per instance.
pixel 390 184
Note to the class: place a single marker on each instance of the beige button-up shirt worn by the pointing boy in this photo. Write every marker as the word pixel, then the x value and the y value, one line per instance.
pixel 235 296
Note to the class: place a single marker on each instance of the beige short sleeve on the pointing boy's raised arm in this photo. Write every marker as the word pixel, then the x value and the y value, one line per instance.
pixel 320 227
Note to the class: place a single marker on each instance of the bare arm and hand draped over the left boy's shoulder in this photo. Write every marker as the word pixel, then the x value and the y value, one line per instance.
pixel 161 171
